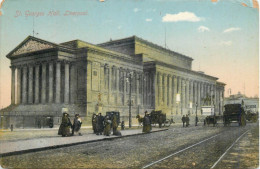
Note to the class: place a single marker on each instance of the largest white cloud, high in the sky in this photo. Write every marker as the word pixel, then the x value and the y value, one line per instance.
pixel 181 16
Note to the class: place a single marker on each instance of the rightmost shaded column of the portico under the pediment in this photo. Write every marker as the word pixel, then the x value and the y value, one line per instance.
pixel 73 83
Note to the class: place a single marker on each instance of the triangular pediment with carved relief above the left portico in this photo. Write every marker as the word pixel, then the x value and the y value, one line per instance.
pixel 31 44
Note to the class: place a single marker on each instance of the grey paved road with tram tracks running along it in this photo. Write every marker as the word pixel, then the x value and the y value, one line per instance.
pixel 193 147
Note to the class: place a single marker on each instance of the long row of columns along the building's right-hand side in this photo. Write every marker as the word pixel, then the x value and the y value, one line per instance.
pixel 184 93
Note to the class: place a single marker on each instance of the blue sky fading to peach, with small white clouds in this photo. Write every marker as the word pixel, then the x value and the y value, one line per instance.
pixel 221 36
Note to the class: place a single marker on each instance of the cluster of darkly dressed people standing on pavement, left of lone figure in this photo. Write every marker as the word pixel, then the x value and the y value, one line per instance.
pixel 101 124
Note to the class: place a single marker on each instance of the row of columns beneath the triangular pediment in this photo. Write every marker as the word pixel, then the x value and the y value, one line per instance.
pixel 44 82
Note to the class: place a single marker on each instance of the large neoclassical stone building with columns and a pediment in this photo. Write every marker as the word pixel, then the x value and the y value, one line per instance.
pixel 86 78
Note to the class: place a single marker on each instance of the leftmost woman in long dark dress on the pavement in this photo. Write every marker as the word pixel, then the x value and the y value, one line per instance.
pixel 65 125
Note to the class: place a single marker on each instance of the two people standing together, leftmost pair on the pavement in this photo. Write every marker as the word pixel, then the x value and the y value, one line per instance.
pixel 66 125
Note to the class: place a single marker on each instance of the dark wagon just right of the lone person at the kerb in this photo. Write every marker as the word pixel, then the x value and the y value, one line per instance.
pixel 158 117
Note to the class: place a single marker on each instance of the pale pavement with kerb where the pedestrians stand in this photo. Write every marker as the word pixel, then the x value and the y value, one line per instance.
pixel 20 146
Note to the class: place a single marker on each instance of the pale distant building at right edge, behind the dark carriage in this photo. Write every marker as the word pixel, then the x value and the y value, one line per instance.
pixel 251 104
